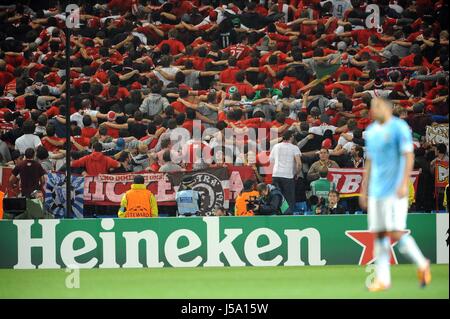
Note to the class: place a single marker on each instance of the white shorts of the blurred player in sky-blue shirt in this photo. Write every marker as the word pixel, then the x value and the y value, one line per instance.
pixel 387 214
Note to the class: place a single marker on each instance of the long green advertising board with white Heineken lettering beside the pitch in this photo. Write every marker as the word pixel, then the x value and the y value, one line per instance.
pixel 207 242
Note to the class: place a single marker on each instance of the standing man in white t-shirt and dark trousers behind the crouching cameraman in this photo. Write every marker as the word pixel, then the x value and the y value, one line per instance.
pixel 286 161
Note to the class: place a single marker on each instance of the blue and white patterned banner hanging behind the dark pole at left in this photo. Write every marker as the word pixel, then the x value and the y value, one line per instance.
pixel 56 196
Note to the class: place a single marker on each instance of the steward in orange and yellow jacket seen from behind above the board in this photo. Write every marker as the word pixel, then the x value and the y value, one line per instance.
pixel 138 201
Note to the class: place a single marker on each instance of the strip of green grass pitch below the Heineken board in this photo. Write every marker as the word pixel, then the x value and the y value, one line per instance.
pixel 242 282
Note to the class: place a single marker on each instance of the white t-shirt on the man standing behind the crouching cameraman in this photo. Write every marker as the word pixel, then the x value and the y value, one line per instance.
pixel 283 158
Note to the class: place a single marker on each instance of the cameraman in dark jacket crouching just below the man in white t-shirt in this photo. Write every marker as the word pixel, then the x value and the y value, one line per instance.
pixel 272 201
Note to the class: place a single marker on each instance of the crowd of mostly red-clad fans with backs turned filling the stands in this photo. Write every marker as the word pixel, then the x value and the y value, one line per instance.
pixel 140 70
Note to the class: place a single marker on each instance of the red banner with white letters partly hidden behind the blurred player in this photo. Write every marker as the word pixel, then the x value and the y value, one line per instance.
pixel 348 180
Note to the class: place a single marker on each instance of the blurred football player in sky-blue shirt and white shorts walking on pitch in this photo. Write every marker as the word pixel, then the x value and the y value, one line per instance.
pixel 384 191
